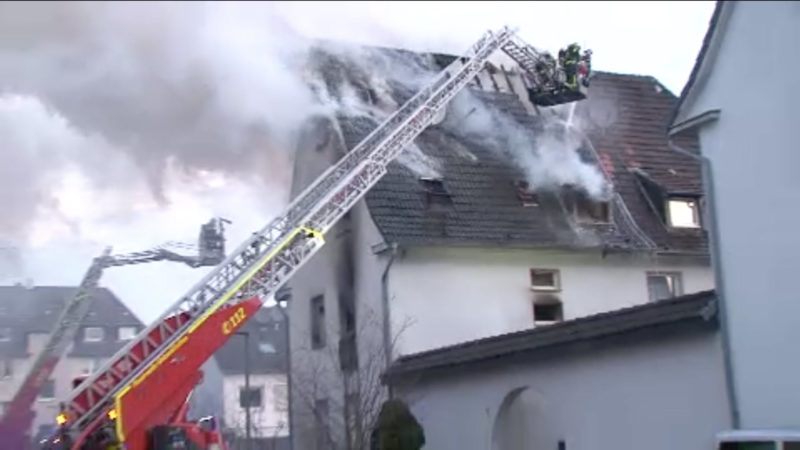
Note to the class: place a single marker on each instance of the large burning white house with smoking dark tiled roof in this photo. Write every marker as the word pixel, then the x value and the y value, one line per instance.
pixel 452 246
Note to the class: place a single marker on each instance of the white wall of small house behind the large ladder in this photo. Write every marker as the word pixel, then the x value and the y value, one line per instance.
pixel 268 420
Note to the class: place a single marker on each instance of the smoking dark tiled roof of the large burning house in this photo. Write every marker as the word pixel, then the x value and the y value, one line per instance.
pixel 624 137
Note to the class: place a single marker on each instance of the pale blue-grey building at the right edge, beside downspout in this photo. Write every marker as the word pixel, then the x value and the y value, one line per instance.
pixel 742 102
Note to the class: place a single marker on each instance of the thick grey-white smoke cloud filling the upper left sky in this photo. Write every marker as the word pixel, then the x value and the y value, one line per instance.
pixel 118 90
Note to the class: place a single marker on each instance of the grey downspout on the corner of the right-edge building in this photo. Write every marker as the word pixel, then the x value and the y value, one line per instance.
pixel 705 163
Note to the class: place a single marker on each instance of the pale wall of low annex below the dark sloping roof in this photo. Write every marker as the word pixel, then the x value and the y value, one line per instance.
pixel 657 395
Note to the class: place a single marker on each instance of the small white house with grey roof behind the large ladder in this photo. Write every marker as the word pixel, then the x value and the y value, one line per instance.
pixel 268 396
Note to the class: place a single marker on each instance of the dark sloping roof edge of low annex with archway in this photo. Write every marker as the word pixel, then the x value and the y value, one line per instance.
pixel 692 312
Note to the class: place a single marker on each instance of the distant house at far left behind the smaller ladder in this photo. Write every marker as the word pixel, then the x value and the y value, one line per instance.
pixel 28 315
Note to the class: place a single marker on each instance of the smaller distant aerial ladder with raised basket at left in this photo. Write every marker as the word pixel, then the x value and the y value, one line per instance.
pixel 18 416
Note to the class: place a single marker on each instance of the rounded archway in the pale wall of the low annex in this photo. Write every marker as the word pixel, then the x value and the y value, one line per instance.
pixel 525 421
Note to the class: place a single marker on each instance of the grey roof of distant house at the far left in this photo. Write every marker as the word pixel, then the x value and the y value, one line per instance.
pixel 34 310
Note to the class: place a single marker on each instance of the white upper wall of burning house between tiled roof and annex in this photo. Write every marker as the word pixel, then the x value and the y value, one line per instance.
pixel 441 296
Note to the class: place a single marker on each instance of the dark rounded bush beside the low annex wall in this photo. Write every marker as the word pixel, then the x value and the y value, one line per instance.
pixel 397 428
